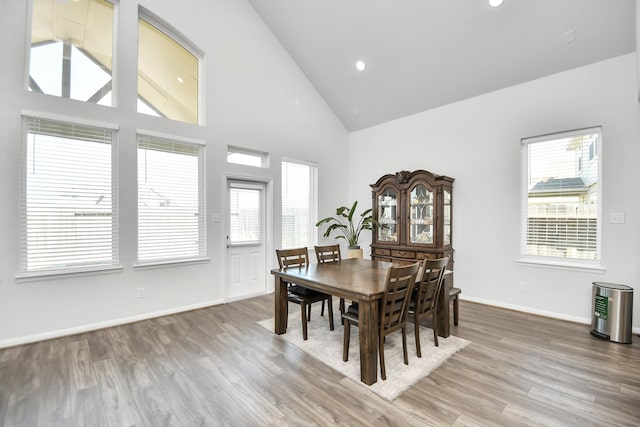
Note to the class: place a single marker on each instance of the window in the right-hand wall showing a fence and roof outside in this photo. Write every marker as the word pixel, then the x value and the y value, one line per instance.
pixel 561 197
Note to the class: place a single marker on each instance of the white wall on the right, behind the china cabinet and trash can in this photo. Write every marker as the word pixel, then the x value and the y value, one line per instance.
pixel 477 141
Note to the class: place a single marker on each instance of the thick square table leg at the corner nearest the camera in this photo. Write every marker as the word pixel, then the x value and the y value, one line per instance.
pixel 368 332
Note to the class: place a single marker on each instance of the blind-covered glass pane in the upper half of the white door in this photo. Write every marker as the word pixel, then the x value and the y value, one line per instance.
pixel 245 214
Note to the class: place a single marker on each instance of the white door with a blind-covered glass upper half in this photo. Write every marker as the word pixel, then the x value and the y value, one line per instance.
pixel 246 250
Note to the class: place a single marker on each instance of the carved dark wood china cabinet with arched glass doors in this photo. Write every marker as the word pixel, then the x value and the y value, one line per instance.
pixel 413 210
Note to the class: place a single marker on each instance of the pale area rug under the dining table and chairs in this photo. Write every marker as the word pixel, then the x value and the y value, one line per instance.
pixel 326 346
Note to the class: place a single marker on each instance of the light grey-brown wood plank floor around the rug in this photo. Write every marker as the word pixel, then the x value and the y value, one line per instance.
pixel 216 366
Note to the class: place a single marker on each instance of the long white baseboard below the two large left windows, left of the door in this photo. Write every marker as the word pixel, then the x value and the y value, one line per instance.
pixel 28 339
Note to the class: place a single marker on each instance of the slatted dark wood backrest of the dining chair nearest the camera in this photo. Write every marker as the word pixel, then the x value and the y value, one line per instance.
pixel 399 284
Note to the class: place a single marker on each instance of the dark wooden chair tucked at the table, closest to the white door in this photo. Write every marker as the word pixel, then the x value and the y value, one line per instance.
pixel 305 297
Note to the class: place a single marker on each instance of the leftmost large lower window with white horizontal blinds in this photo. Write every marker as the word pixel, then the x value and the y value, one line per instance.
pixel 68 202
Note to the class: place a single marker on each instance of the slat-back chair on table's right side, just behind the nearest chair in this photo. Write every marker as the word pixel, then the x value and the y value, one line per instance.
pixel 424 301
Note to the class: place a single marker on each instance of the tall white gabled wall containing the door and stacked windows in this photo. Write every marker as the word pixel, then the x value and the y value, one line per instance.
pixel 256 97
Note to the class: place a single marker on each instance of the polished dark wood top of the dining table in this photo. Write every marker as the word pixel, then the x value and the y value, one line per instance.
pixel 354 278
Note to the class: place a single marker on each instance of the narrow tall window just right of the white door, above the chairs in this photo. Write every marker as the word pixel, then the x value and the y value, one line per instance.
pixel 298 204
